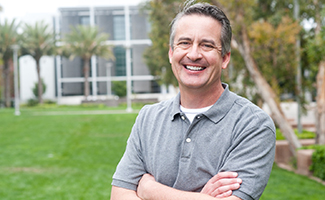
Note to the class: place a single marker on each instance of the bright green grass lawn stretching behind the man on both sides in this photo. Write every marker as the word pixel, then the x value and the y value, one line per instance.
pixel 74 157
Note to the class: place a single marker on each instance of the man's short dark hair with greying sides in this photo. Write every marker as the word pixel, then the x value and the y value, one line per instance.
pixel 209 10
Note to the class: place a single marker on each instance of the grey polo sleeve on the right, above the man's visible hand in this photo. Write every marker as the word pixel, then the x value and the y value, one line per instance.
pixel 252 156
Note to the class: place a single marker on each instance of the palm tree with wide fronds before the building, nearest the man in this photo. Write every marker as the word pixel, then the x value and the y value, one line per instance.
pixel 85 42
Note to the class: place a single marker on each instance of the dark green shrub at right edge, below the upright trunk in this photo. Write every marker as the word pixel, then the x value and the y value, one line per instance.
pixel 318 162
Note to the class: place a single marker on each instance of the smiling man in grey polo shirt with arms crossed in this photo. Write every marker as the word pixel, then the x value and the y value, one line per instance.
pixel 195 145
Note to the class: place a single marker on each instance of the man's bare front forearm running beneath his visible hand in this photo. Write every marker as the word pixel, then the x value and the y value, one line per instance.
pixel 150 189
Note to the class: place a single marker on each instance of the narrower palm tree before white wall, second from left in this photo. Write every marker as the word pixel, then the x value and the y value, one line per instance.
pixel 37 41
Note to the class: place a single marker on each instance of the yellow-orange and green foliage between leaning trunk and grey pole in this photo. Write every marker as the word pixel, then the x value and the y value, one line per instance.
pixel 272 48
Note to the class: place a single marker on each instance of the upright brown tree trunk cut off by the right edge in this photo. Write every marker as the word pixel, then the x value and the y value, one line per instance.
pixel 320 111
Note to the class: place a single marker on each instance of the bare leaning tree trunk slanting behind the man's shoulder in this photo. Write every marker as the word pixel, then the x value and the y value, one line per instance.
pixel 266 92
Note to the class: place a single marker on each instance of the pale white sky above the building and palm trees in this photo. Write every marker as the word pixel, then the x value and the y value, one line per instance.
pixel 30 10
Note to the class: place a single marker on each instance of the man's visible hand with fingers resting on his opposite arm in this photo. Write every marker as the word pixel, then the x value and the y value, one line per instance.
pixel 222 184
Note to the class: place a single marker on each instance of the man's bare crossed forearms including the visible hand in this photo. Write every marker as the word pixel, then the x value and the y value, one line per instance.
pixel 218 187
